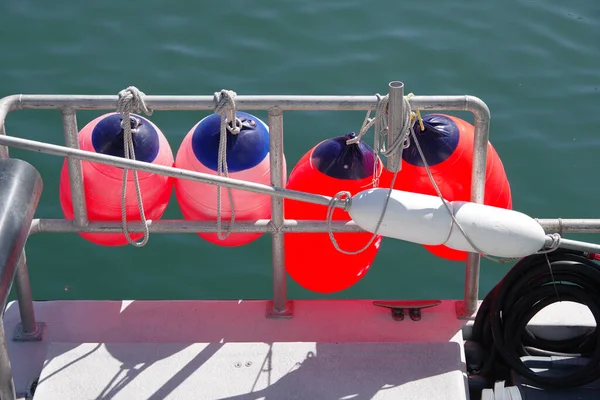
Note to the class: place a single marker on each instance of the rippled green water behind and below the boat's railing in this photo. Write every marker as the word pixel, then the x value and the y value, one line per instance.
pixel 535 63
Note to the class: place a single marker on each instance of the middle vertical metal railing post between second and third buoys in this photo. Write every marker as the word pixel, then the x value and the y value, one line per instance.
pixel 279 307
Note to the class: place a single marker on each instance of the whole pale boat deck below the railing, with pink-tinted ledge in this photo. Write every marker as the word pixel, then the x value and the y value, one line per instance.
pixel 340 349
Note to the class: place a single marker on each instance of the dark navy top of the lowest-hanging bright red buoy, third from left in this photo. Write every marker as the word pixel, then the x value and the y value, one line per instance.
pixel 339 160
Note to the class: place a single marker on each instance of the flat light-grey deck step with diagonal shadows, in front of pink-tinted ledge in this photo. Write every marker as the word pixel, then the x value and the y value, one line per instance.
pixel 280 370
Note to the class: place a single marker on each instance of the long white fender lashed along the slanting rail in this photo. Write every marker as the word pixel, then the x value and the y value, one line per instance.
pixel 424 219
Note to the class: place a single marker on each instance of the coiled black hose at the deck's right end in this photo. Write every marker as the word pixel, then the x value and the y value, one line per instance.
pixel 532 284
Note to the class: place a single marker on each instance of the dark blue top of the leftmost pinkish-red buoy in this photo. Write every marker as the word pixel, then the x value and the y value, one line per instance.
pixel 107 137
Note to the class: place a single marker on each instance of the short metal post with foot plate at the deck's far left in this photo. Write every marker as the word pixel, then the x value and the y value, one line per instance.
pixel 28 330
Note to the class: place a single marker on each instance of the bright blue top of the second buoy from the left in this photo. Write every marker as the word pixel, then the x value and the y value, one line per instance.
pixel 245 150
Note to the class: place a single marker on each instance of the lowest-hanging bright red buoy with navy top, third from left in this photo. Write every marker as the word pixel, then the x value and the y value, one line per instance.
pixel 311 258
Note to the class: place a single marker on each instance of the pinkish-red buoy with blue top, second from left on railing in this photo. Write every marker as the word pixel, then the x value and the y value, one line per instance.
pixel 248 159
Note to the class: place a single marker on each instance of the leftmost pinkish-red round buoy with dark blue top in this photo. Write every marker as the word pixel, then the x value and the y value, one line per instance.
pixel 103 183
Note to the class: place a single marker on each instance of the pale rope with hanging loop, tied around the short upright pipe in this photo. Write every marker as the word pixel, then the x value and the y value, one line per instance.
pixel 381 130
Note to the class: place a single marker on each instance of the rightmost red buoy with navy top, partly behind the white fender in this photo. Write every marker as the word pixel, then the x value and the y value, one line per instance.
pixel 447 143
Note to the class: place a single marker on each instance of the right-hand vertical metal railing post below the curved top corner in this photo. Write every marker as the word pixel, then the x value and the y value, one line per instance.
pixel 481 139
